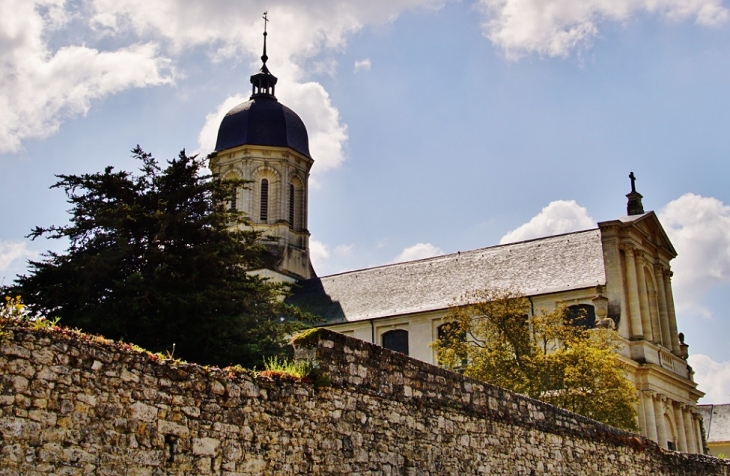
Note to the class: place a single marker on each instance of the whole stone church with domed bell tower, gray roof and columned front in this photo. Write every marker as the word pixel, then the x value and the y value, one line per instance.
pixel 619 270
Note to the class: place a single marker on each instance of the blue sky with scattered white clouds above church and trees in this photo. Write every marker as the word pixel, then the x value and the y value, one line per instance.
pixel 436 125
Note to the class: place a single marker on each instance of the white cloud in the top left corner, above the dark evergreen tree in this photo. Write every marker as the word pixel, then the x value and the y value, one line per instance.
pixel 39 87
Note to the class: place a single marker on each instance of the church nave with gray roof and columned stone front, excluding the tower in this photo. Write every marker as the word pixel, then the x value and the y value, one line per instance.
pixel 628 260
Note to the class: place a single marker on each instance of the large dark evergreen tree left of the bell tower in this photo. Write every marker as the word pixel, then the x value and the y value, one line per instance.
pixel 158 259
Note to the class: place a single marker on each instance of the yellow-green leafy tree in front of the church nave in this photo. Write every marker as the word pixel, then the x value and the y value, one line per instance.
pixel 490 335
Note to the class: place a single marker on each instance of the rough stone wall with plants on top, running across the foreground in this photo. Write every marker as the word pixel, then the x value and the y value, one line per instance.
pixel 71 404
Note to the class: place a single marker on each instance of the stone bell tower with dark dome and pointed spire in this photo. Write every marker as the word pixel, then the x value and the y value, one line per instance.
pixel 266 143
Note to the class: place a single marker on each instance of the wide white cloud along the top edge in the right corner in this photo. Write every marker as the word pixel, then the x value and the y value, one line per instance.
pixel 556 27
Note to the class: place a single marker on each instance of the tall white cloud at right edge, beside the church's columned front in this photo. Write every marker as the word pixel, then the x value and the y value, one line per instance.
pixel 699 228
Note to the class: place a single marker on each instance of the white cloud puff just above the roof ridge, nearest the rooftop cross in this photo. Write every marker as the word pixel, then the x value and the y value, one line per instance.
pixel 560 216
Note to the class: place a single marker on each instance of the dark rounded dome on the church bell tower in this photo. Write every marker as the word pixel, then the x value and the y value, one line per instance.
pixel 263 121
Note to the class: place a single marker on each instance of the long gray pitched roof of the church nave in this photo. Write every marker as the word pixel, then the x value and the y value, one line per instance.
pixel 545 265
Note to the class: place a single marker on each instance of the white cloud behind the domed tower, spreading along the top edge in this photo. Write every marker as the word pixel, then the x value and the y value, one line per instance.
pixel 233 29
